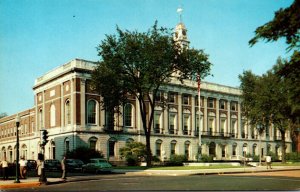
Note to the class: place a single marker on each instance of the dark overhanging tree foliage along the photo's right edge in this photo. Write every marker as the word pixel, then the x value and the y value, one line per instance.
pixel 286 24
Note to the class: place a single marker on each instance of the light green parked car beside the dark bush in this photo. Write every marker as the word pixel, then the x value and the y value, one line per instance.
pixel 97 165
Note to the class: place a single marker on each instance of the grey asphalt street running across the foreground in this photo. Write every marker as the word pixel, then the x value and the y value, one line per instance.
pixel 117 182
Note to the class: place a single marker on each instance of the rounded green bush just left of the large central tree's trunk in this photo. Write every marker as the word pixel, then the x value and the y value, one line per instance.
pixel 134 152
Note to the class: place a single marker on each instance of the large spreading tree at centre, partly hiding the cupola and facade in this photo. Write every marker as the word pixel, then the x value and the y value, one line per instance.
pixel 136 64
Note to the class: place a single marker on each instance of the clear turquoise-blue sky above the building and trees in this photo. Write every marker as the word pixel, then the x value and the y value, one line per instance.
pixel 37 36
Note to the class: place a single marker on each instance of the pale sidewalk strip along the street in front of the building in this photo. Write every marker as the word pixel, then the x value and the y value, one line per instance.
pixel 34 181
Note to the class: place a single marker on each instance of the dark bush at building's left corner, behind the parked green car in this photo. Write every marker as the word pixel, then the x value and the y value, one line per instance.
pixel 84 154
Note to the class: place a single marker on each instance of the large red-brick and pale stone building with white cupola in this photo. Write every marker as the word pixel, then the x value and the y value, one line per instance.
pixel 68 107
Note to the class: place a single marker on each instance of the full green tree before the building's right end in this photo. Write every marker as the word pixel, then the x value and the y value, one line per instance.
pixel 265 101
